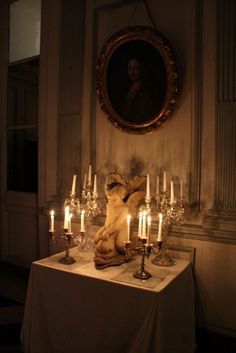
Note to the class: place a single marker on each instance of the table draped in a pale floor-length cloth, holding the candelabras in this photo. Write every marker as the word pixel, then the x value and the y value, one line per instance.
pixel 76 308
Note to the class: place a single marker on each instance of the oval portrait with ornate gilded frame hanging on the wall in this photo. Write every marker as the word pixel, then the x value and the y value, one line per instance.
pixel 137 80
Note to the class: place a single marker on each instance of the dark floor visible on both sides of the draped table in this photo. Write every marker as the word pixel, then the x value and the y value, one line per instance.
pixel 13 288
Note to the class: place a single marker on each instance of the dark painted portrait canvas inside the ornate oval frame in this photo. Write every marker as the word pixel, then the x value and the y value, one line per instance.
pixel 137 81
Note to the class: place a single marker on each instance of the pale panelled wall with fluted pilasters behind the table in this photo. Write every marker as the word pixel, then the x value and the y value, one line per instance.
pixel 196 145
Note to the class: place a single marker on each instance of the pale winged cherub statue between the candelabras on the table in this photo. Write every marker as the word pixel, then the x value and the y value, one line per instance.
pixel 123 198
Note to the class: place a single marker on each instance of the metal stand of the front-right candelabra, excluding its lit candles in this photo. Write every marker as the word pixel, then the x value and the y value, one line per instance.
pixel 142 247
